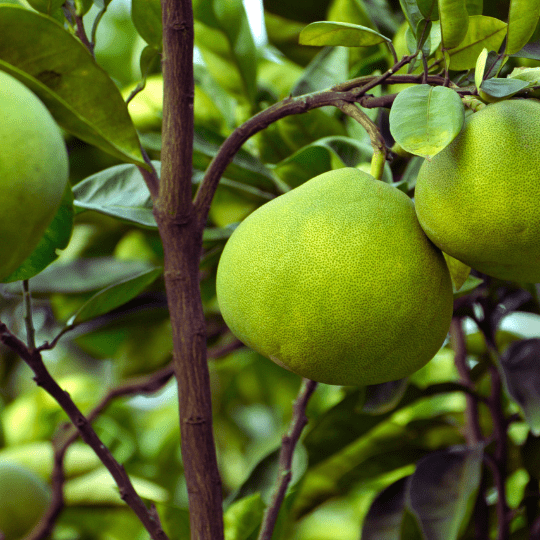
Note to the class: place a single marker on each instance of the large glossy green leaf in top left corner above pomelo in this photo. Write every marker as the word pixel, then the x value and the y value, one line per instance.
pixel 80 95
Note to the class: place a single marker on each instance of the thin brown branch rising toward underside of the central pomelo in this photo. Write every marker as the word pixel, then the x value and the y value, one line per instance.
pixel 289 442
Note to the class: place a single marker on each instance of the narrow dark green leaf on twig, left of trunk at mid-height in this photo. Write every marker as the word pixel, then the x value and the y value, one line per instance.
pixel 115 296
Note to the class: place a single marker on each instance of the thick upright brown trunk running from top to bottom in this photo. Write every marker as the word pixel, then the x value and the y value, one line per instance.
pixel 181 234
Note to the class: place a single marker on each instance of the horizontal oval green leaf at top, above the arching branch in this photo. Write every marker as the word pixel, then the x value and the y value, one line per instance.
pixel 336 34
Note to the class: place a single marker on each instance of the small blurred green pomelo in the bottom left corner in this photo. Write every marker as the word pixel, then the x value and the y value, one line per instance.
pixel 24 498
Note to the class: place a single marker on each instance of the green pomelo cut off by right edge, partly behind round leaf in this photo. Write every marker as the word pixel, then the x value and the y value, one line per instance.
pixel 479 199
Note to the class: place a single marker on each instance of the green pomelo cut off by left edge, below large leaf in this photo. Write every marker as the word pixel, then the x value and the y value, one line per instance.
pixel 33 172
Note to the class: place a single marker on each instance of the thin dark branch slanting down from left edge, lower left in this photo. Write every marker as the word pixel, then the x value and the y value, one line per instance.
pixel 32 357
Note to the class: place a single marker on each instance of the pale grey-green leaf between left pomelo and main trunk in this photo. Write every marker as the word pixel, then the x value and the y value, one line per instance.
pixel 119 192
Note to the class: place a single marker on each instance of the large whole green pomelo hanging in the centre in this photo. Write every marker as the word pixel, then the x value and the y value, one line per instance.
pixel 336 281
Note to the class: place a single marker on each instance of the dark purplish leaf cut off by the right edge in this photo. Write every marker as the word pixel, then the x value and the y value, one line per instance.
pixel 519 366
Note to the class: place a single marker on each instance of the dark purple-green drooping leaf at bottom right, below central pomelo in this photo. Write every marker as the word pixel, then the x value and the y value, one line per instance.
pixel 442 490
